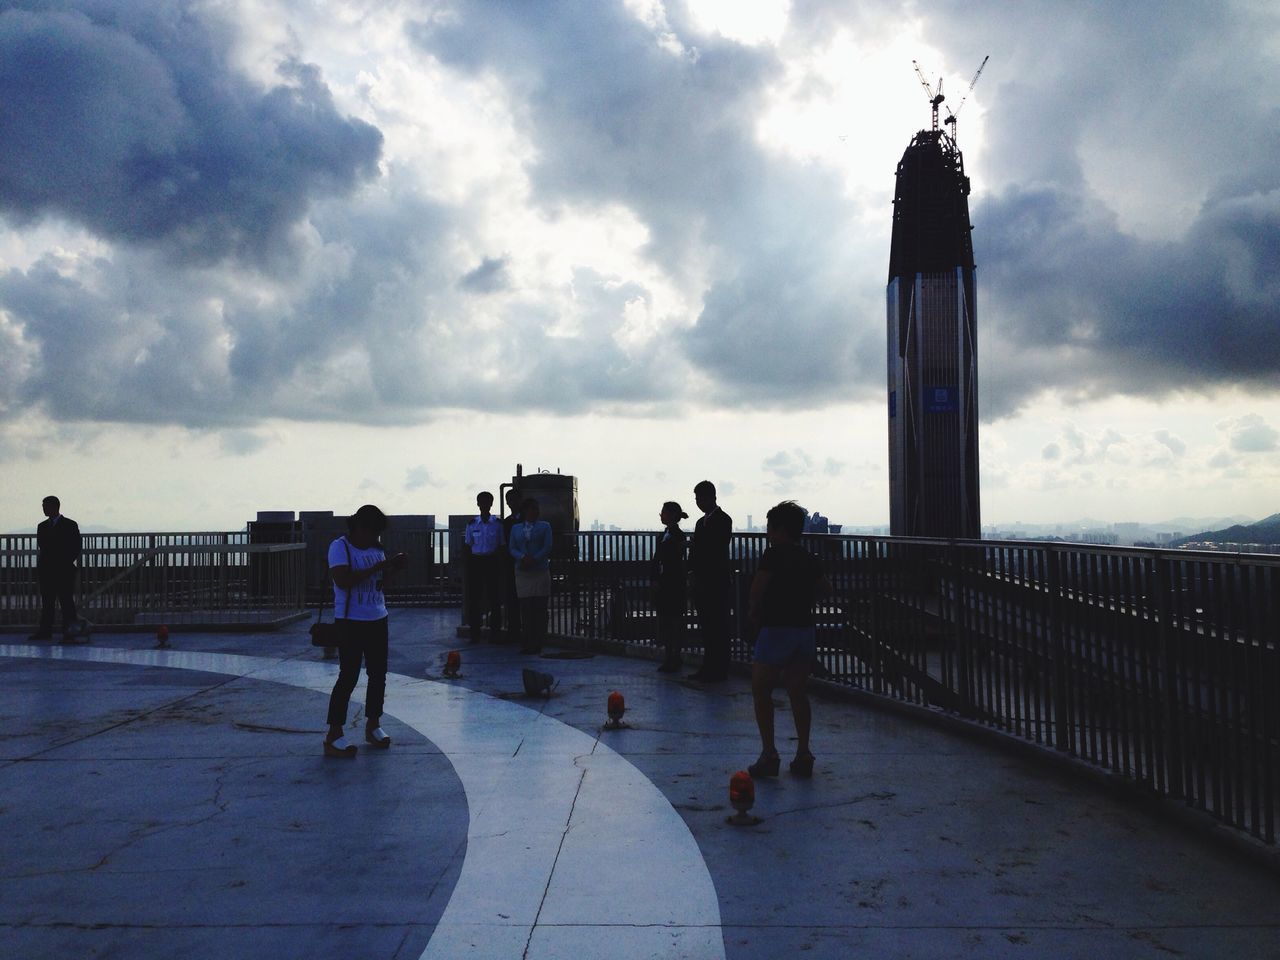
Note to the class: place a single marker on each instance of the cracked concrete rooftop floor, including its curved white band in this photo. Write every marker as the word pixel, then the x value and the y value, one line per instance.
pixel 154 810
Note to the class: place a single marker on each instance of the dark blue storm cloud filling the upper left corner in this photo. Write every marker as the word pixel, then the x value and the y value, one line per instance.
pixel 126 118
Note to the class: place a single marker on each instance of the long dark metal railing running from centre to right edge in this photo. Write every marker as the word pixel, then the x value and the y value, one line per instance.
pixel 1160 668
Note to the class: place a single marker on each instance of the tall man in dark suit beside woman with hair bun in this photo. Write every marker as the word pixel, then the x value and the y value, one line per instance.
pixel 710 566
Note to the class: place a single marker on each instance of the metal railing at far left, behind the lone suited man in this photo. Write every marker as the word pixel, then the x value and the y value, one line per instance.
pixel 144 580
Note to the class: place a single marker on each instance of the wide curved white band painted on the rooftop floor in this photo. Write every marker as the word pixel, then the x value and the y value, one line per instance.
pixel 572 851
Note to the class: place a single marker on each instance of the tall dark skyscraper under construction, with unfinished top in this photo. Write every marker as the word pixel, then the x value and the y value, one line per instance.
pixel 932 345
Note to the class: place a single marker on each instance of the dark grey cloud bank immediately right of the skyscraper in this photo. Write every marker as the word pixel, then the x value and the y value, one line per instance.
pixel 1075 303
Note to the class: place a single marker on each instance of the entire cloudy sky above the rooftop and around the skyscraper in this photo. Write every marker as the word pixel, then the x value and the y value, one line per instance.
pixel 263 255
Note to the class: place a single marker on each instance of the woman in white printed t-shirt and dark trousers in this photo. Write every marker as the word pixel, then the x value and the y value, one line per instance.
pixel 359 566
